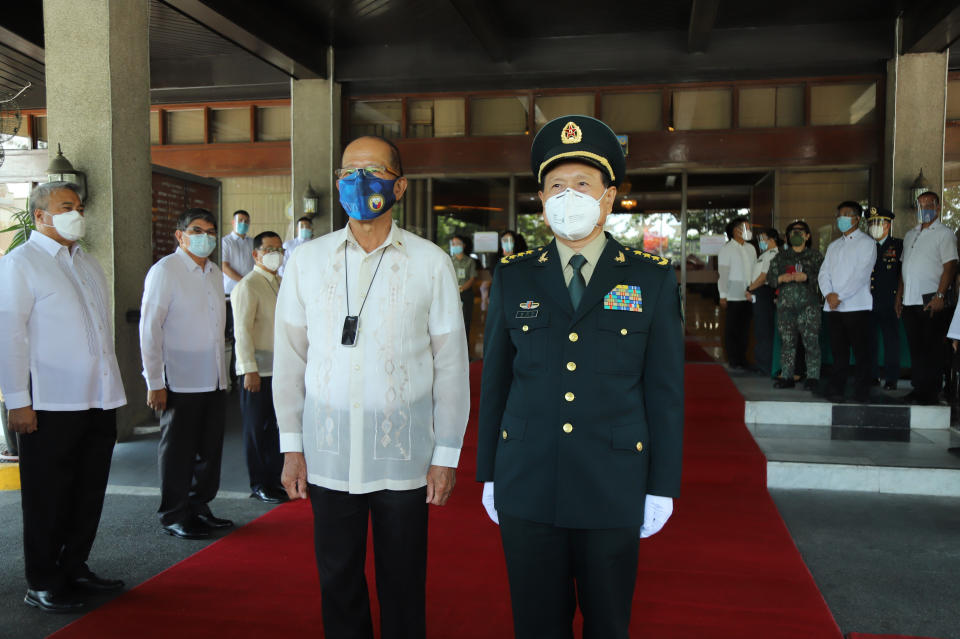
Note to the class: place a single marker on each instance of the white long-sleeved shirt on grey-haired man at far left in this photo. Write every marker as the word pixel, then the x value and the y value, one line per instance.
pixel 57 351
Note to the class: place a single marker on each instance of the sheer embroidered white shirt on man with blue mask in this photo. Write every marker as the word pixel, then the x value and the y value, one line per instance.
pixel 376 415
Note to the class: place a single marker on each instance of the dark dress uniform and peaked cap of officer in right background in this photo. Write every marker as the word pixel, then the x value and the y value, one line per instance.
pixel 883 287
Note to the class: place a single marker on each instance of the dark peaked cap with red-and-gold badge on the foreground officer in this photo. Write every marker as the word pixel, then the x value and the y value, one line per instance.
pixel 581 138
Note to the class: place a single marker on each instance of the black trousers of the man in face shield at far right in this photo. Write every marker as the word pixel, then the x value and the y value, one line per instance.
pixel 926 337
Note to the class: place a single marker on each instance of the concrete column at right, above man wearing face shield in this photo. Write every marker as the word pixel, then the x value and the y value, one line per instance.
pixel 915 130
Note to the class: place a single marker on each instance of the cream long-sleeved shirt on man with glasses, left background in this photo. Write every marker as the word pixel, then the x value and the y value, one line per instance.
pixel 254 302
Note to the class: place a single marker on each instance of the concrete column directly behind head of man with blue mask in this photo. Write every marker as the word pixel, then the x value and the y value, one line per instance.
pixel 315 147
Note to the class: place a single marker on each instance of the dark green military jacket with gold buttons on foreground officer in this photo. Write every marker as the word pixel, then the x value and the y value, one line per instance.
pixel 581 411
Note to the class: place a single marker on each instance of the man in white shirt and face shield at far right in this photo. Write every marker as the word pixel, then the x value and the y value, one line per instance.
pixel 929 264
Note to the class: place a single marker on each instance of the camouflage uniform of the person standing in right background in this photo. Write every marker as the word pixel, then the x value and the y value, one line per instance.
pixel 798 309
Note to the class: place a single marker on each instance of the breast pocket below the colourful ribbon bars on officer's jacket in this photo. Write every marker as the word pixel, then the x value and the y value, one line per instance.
pixel 621 342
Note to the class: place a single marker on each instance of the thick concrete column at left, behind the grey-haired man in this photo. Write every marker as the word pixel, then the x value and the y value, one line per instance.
pixel 98 103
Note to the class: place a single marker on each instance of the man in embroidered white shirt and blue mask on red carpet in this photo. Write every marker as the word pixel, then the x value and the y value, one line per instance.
pixel 372 395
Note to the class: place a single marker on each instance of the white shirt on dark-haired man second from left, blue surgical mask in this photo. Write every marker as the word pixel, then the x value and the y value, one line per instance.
pixel 182 321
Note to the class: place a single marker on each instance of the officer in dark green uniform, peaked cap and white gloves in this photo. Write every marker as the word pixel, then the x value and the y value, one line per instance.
pixel 581 408
